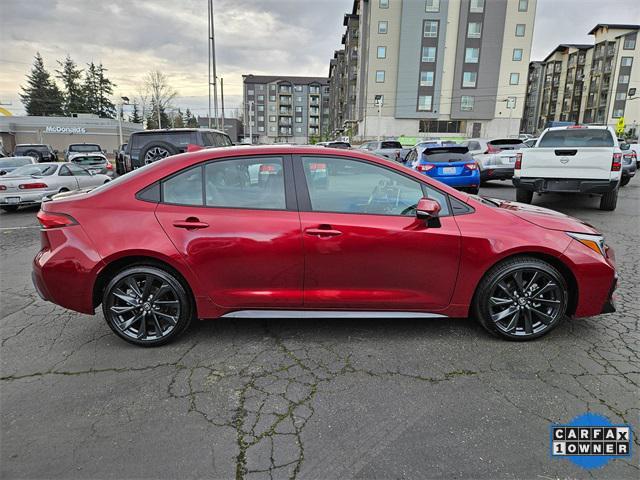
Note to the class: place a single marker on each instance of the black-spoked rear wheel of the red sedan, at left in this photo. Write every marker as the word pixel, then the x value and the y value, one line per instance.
pixel 133 302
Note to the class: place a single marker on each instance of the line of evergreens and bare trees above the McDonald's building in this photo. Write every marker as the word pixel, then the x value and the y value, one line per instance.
pixel 89 91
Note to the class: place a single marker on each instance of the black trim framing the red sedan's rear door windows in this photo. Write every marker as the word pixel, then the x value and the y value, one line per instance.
pixel 291 203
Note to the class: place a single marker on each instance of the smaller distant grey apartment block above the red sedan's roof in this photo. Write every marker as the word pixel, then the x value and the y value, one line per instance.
pixel 285 109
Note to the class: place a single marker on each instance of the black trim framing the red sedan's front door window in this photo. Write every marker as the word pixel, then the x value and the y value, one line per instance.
pixel 304 198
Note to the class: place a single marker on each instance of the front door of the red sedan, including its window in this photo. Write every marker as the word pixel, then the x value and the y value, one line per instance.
pixel 364 247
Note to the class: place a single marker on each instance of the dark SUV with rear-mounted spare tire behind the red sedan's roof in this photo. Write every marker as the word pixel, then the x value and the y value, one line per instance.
pixel 150 145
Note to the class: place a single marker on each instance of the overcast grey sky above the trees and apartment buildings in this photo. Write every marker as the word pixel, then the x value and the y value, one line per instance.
pixel 290 37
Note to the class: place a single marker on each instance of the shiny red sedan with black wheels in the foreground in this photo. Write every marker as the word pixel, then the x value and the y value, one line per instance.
pixel 312 232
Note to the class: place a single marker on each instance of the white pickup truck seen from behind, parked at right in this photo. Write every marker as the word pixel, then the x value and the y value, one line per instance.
pixel 576 159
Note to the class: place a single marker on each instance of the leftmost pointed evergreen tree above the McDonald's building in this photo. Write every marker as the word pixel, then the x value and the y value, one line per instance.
pixel 41 96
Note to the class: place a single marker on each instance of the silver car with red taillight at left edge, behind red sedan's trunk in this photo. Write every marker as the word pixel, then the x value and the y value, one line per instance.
pixel 30 184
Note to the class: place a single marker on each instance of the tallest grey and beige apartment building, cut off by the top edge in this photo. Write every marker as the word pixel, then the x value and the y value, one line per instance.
pixel 435 67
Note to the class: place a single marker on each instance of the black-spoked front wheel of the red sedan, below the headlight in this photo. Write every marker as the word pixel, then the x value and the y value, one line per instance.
pixel 521 298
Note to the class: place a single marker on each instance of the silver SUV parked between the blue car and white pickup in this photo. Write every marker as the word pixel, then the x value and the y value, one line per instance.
pixel 496 158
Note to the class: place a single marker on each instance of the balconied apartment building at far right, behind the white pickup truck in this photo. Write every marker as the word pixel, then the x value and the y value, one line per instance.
pixel 591 83
